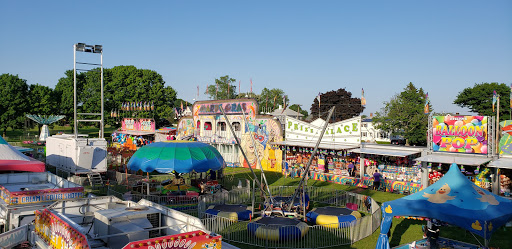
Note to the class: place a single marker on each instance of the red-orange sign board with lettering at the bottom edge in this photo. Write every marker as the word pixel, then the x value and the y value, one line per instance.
pixel 190 240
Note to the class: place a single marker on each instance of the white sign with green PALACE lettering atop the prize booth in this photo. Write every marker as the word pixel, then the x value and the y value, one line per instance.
pixel 342 132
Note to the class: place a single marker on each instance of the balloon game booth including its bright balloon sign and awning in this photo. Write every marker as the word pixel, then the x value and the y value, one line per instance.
pixel 468 141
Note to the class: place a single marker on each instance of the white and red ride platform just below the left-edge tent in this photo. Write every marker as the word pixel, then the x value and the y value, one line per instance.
pixel 23 193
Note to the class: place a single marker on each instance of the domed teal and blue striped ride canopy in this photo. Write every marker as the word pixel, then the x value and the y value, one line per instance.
pixel 179 156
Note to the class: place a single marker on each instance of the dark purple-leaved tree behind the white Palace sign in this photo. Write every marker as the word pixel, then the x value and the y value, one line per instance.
pixel 346 106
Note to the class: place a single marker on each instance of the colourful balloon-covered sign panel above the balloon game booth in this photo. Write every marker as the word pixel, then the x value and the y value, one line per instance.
pixel 461 134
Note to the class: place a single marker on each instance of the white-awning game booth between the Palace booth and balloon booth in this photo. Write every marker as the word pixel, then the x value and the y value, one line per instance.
pixel 395 163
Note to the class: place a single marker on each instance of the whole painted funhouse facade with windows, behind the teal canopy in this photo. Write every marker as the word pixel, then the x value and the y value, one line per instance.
pixel 207 124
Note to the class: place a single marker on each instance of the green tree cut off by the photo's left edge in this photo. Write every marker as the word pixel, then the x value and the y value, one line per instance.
pixel 13 101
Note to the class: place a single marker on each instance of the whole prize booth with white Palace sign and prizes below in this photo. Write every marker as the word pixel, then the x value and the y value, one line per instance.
pixel 332 157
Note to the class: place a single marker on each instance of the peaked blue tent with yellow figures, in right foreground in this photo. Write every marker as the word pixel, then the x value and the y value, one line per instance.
pixel 453 199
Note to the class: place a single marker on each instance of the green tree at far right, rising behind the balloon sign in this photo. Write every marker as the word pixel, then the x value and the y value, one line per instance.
pixel 479 99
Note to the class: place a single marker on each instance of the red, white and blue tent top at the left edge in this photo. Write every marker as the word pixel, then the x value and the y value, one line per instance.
pixel 12 159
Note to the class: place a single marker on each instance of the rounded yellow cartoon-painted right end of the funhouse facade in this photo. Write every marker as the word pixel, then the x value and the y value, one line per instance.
pixel 265 131
